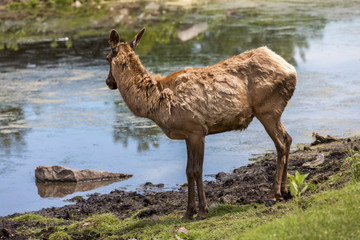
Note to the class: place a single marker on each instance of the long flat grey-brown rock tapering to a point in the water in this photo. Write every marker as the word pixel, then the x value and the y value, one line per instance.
pixel 64 174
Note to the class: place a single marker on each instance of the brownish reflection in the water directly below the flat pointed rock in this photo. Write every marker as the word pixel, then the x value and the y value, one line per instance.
pixel 46 190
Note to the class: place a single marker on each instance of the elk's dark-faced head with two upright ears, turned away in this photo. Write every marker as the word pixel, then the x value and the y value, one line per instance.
pixel 119 49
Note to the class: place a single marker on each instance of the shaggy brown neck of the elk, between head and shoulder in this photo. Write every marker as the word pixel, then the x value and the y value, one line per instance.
pixel 138 89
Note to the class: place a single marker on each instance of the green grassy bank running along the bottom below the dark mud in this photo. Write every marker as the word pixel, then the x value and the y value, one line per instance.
pixel 327 213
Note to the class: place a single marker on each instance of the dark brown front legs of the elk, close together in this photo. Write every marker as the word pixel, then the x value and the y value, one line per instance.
pixel 195 150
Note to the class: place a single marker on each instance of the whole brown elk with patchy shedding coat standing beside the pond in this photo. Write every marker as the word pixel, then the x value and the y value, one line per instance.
pixel 194 102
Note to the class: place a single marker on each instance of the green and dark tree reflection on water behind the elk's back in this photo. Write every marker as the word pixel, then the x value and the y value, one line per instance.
pixel 229 32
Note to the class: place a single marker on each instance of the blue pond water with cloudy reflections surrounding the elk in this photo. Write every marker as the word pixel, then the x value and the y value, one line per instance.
pixel 55 108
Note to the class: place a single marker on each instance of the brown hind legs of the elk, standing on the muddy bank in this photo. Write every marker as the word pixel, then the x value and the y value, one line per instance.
pixel 282 141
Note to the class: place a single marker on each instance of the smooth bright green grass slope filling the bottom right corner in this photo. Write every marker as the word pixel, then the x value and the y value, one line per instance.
pixel 332 214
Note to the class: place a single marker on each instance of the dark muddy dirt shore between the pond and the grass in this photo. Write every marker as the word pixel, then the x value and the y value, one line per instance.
pixel 244 185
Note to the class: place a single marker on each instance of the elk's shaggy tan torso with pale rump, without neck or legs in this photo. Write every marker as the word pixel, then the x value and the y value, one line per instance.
pixel 227 95
